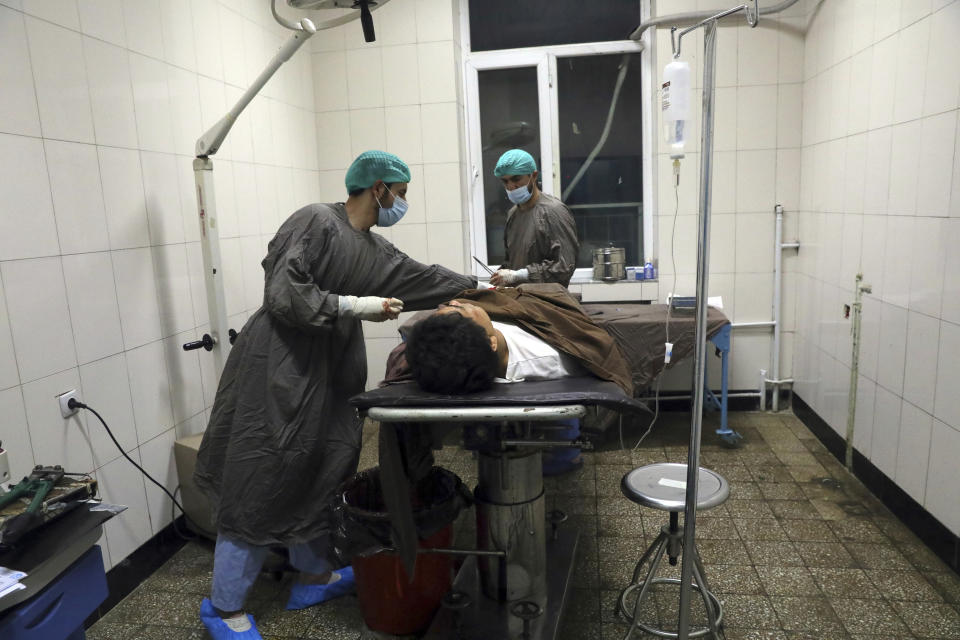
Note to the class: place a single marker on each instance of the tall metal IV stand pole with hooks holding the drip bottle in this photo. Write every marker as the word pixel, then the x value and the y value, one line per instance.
pixel 703 274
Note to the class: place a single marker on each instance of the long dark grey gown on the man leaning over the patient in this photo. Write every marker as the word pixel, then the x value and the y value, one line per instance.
pixel 282 435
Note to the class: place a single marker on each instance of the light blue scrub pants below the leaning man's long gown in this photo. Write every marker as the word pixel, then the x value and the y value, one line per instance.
pixel 236 565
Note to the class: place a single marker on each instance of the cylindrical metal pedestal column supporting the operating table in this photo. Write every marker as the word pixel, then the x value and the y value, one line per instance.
pixel 510 517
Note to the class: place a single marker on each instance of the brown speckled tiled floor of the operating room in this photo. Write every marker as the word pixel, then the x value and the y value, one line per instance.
pixel 801 550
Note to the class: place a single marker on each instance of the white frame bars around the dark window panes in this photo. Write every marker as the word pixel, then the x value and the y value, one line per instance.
pixel 544 58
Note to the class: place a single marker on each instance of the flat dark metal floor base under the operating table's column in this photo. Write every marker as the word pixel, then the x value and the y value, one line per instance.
pixel 486 618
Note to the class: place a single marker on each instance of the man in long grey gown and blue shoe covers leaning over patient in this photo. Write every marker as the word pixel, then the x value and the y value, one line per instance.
pixel 282 435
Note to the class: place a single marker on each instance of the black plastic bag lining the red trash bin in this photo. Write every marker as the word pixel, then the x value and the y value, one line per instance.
pixel 362 524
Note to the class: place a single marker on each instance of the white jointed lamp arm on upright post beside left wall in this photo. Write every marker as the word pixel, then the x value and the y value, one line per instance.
pixel 209 143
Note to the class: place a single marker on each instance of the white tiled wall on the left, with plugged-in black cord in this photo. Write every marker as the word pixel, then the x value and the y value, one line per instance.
pixel 100 264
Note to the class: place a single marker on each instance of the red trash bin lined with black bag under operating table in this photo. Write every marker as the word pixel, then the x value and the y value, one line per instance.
pixel 389 601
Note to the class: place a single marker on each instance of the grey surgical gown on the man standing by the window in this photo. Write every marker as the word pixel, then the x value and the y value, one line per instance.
pixel 543 240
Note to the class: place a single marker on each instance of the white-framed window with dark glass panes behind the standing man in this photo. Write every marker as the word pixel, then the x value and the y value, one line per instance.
pixel 582 111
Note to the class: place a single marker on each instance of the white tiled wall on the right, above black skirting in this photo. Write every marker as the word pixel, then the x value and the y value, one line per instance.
pixel 899 185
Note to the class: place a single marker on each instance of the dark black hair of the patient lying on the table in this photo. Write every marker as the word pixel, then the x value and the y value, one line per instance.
pixel 450 354
